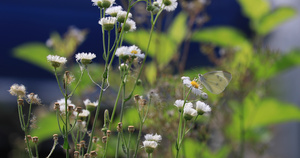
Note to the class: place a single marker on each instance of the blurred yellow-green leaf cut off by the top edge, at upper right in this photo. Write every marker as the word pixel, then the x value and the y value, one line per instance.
pixel 255 9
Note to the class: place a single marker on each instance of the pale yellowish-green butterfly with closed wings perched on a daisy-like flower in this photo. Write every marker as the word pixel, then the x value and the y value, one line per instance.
pixel 215 81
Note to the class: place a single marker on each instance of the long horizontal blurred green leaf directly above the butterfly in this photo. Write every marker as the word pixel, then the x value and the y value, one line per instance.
pixel 221 36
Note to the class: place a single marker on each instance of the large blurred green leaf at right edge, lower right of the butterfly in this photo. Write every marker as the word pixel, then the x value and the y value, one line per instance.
pixel 260 113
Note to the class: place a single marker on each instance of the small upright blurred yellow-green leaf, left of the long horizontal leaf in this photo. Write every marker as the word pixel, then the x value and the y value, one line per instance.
pixel 178 29
